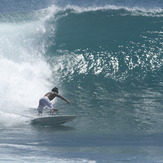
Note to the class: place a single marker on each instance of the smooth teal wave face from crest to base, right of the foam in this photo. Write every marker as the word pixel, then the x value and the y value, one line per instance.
pixel 110 61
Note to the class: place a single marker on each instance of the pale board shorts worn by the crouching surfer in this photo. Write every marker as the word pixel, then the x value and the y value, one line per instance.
pixel 44 102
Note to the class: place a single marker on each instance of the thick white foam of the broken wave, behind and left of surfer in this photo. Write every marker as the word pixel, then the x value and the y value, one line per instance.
pixel 25 75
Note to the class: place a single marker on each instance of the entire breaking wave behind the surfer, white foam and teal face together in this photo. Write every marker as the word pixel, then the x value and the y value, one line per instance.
pixel 106 58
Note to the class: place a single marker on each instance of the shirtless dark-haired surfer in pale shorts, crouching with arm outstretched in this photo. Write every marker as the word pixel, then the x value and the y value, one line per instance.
pixel 46 101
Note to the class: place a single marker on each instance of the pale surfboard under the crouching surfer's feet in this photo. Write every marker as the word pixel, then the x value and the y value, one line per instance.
pixel 53 120
